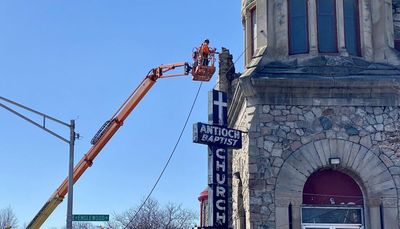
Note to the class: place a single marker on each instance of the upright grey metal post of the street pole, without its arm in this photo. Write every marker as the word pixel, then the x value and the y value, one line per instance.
pixel 70 174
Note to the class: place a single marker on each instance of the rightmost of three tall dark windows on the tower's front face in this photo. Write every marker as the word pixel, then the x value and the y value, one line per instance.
pixel 351 27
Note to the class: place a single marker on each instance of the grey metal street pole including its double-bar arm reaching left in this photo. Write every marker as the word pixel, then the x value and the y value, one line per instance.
pixel 71 143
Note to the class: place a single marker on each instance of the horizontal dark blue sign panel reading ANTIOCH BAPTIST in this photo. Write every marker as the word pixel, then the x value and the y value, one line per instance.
pixel 217 135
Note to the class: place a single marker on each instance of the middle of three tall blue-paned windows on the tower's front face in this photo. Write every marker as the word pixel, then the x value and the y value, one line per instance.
pixel 326 22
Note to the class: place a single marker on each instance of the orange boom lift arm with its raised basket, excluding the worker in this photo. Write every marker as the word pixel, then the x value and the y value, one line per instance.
pixel 110 127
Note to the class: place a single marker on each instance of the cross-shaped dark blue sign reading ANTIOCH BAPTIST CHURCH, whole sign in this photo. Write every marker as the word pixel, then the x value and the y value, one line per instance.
pixel 219 138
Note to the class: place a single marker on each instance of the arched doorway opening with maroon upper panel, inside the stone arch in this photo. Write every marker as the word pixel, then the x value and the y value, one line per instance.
pixel 332 200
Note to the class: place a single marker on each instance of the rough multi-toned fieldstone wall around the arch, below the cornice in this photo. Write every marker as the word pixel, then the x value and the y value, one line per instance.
pixel 276 131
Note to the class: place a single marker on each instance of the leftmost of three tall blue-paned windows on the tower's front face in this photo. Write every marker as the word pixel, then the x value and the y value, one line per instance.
pixel 298 26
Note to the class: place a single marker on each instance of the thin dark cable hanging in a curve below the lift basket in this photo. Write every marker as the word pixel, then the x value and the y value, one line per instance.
pixel 169 159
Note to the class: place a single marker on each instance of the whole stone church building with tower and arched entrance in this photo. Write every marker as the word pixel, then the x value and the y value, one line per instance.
pixel 319 105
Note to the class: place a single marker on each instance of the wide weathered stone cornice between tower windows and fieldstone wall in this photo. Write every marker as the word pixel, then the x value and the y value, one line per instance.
pixel 321 81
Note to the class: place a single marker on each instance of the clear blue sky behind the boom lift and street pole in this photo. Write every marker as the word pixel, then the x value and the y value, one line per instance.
pixel 80 60
